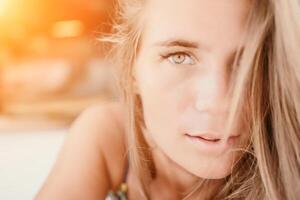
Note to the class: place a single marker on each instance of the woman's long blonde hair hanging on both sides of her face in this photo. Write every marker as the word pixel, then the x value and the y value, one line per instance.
pixel 266 83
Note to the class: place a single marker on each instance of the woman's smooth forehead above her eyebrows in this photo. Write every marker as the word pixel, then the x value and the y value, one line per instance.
pixel 213 23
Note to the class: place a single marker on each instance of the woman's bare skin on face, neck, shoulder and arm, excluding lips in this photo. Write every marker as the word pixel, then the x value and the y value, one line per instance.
pixel 182 67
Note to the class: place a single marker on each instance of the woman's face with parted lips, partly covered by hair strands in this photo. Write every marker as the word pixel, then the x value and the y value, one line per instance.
pixel 182 71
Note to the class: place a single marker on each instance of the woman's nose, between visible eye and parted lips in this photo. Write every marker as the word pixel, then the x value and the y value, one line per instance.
pixel 211 91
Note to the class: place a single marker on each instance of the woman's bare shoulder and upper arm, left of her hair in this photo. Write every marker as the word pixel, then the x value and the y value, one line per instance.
pixel 92 159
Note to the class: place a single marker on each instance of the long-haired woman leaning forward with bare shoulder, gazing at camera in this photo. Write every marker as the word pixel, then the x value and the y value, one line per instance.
pixel 210 108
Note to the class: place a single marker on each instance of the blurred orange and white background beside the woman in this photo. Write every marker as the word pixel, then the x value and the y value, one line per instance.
pixel 51 68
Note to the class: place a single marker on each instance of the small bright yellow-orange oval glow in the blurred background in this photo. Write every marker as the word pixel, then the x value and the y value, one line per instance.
pixel 65 29
